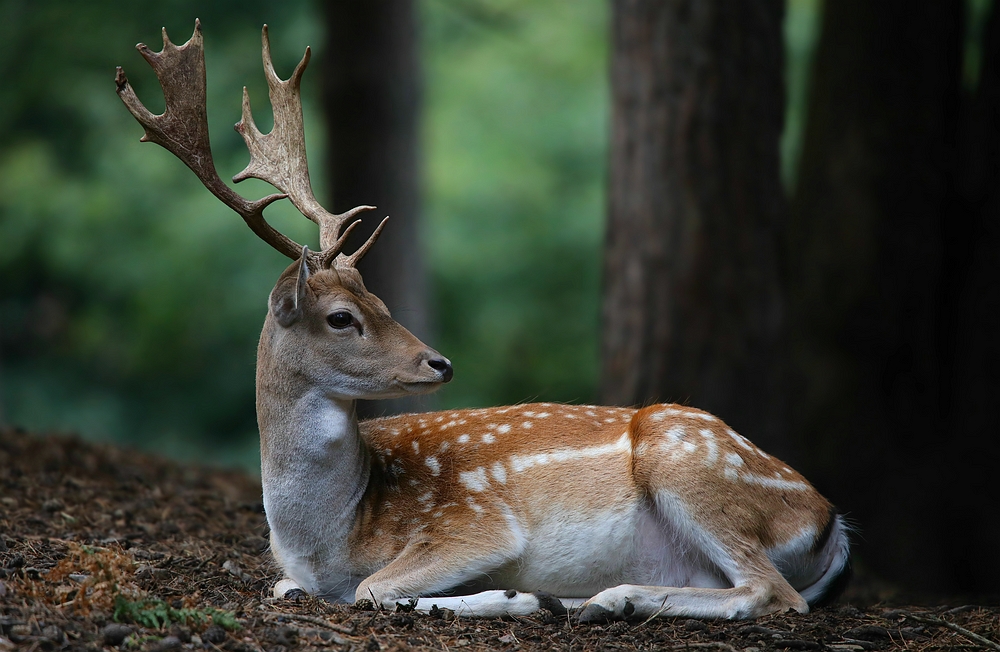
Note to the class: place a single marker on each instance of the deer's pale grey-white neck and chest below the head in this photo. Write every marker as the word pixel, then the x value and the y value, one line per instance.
pixel 313 462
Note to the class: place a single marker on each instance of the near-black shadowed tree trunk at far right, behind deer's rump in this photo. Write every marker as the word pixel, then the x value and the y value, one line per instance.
pixel 885 288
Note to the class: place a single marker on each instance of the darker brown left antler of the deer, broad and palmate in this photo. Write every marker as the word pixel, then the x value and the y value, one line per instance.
pixel 182 128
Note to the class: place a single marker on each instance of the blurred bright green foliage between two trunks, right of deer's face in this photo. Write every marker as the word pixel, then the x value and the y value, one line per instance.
pixel 516 133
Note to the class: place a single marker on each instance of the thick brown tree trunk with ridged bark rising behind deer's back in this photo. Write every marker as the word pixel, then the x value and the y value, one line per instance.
pixel 692 304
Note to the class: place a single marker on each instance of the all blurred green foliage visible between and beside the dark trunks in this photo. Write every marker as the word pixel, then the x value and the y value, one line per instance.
pixel 131 299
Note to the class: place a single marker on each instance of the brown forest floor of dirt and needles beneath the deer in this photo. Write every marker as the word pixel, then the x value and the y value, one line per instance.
pixel 107 548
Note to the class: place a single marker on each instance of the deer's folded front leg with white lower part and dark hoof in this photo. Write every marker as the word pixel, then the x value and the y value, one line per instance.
pixel 426 567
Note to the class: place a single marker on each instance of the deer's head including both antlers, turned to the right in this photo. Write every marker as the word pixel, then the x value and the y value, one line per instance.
pixel 339 338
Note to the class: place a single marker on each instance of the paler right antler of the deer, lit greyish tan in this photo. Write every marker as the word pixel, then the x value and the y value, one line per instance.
pixel 279 157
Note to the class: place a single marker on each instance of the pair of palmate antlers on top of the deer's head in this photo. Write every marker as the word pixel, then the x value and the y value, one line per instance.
pixel 278 158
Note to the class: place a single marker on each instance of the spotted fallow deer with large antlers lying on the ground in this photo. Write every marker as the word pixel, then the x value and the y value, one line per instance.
pixel 613 512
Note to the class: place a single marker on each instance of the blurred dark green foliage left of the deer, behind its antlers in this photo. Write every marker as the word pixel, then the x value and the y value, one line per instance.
pixel 131 299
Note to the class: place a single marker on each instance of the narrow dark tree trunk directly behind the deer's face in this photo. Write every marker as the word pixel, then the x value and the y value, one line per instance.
pixel 371 97
